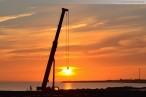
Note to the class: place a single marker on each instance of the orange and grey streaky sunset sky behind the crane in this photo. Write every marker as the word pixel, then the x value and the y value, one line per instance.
pixel 106 41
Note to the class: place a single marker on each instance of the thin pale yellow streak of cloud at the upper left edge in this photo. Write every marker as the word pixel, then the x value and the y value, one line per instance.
pixel 6 18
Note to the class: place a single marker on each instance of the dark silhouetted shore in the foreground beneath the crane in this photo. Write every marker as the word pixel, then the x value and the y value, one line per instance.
pixel 108 92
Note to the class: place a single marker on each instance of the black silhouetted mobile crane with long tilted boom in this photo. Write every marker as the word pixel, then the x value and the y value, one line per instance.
pixel 52 54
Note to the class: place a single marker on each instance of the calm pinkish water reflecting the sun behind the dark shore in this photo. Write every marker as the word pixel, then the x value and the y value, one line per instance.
pixel 23 86
